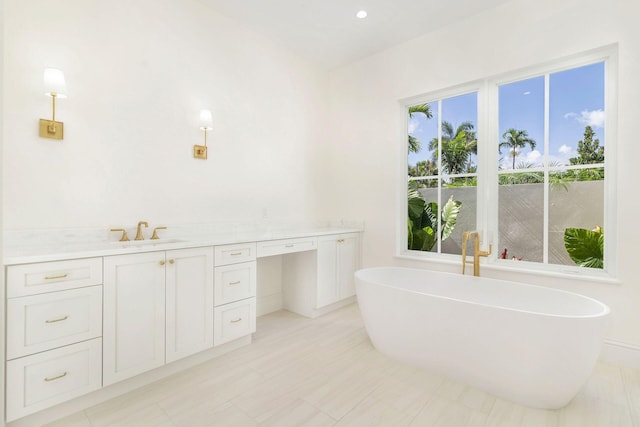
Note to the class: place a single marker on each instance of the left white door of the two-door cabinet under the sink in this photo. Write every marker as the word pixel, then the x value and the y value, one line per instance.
pixel 134 315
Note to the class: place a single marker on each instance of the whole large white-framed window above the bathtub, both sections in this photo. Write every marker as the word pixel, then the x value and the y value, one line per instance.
pixel 523 159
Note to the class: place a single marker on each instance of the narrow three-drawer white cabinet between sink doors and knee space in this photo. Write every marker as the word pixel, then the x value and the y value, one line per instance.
pixel 235 292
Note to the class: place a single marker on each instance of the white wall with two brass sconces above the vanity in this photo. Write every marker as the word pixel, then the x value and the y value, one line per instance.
pixel 137 73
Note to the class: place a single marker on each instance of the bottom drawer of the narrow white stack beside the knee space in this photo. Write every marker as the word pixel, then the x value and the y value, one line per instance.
pixel 234 320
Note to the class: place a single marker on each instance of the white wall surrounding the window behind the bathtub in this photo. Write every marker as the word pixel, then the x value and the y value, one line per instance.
pixel 362 150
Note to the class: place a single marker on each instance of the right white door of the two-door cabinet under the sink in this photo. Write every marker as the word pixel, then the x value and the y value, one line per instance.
pixel 189 323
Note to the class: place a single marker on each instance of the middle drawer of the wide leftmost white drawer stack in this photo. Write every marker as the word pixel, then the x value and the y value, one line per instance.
pixel 42 322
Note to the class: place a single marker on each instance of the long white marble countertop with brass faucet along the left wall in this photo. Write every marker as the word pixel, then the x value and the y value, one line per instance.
pixel 74 244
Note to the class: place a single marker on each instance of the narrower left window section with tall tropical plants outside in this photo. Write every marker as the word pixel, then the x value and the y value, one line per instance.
pixel 442 172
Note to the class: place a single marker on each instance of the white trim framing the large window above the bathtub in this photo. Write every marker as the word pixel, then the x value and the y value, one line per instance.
pixel 487 199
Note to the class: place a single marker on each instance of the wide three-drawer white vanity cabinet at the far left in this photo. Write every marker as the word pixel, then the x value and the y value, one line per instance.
pixel 54 328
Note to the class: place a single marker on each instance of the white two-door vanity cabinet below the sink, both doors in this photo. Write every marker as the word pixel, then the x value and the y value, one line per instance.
pixel 157 309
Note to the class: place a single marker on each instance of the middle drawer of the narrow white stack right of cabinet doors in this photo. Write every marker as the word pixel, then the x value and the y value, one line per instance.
pixel 234 282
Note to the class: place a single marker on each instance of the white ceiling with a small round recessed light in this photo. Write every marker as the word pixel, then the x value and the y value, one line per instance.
pixel 328 33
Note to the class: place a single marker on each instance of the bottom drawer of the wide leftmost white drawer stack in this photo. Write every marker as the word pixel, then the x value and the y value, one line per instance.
pixel 46 379
